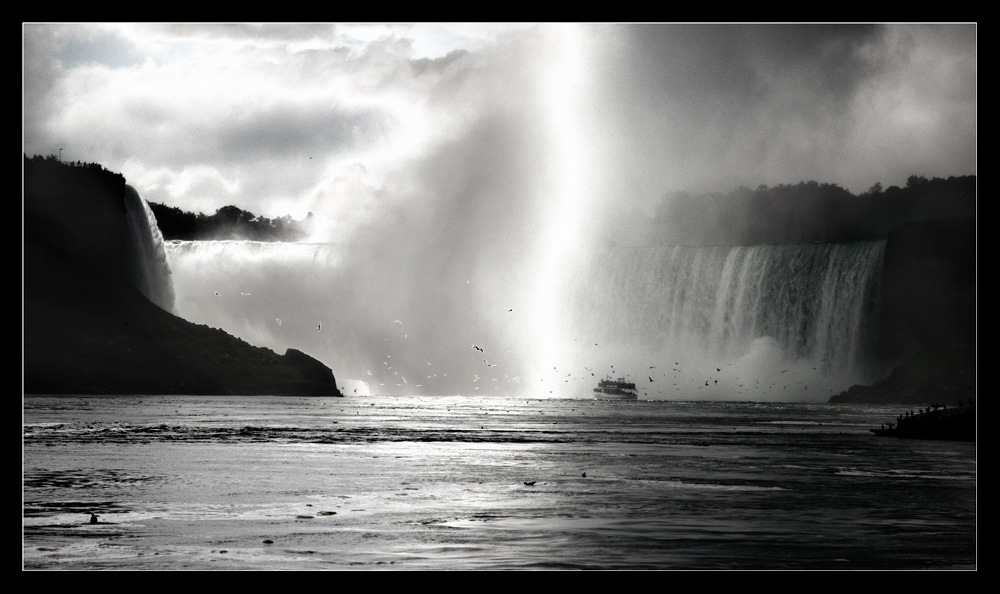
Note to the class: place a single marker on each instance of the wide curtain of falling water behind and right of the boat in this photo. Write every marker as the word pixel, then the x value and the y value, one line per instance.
pixel 731 322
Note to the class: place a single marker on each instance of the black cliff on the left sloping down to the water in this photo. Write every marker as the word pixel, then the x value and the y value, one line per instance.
pixel 88 330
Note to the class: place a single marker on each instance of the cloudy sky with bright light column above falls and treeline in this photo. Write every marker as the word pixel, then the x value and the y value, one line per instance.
pixel 348 120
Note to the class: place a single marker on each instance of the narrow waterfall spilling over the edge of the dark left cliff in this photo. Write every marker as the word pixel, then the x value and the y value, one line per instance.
pixel 147 256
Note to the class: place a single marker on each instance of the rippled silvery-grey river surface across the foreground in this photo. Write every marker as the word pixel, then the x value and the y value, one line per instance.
pixel 186 482
